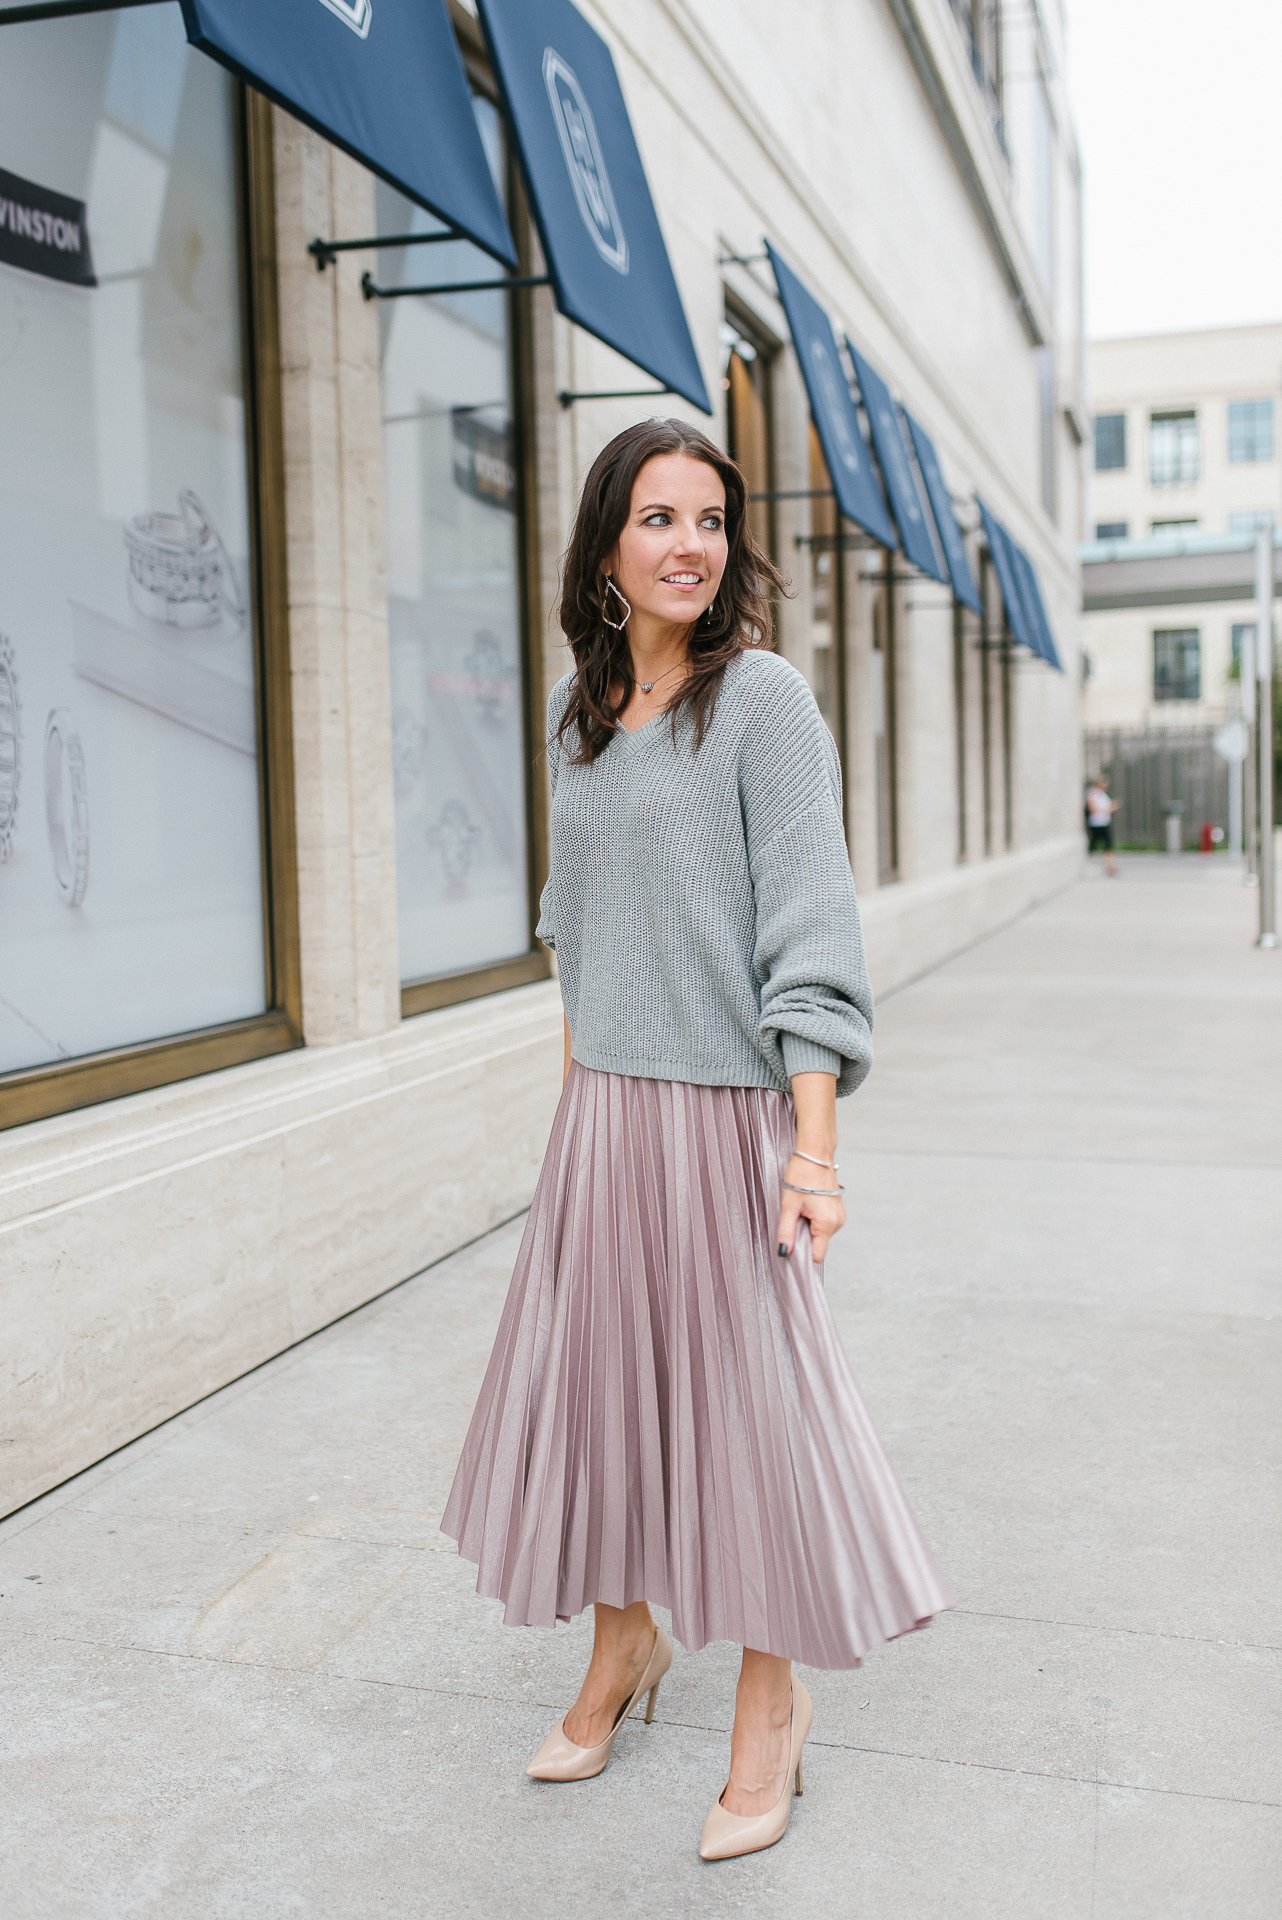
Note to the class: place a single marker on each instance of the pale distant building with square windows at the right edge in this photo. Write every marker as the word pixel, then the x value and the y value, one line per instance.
pixel 1187 443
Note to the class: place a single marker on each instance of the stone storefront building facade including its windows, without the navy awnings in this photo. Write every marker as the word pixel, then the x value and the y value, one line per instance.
pixel 275 1030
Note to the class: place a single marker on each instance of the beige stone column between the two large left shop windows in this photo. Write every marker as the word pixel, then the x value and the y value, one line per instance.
pixel 339 604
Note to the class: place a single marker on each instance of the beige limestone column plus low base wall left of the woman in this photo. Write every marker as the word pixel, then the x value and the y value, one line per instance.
pixel 154 1249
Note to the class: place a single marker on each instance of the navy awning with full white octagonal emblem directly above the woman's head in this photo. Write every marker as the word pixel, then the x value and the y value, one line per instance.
pixel 588 189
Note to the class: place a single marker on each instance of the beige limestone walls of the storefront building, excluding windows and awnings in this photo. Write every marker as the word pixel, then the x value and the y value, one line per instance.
pixel 156 1247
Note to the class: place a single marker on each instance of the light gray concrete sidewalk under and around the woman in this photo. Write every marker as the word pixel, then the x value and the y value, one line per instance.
pixel 245 1675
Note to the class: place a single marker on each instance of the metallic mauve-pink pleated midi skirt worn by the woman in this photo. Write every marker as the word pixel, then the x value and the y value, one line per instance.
pixel 669 1412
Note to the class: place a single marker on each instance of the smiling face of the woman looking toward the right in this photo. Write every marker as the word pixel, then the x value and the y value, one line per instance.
pixel 671 556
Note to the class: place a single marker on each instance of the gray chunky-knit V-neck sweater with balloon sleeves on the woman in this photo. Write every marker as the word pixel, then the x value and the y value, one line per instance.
pixel 701 903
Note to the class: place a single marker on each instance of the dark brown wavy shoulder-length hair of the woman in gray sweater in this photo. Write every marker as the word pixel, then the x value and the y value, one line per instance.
pixel 738 619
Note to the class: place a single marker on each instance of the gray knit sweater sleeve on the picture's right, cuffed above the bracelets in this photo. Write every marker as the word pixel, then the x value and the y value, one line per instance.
pixel 809 957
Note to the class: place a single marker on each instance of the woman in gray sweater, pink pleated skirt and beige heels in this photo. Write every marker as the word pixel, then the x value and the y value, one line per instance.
pixel 669 1416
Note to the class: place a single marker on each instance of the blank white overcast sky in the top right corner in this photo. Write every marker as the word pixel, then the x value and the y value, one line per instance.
pixel 1181 133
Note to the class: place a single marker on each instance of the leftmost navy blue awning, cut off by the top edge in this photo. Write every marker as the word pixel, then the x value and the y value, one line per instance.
pixel 379 78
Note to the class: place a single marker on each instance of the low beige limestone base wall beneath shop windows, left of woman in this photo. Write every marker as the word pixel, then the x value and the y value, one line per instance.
pixel 158 1247
